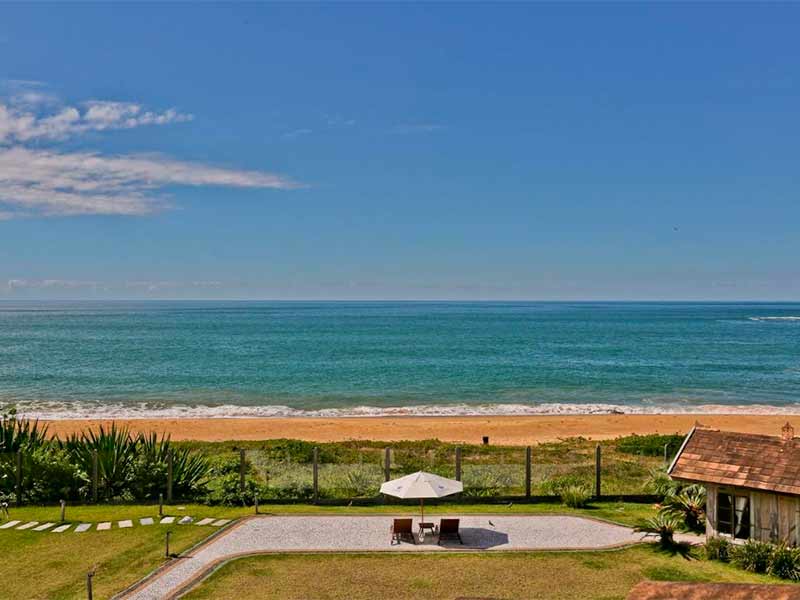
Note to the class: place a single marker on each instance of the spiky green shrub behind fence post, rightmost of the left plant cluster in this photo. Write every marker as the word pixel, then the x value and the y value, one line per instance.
pixel 150 466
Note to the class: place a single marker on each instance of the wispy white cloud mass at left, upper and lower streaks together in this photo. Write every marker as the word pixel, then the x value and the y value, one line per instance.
pixel 45 181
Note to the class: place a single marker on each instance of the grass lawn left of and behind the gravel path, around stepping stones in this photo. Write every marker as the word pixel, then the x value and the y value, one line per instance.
pixel 53 566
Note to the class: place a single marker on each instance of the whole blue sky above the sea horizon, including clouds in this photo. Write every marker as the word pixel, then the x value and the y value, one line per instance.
pixel 400 151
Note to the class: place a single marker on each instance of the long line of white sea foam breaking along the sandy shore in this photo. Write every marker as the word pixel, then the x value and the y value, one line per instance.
pixel 54 411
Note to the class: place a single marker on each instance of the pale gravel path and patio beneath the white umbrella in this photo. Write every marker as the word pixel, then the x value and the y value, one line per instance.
pixel 371 533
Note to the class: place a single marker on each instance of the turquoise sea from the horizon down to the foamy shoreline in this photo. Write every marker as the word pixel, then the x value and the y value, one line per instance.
pixel 240 358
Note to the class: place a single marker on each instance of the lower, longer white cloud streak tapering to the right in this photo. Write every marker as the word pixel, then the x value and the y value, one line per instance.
pixel 50 183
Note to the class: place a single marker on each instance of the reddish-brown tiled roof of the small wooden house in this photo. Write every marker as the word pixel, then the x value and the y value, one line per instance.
pixel 760 462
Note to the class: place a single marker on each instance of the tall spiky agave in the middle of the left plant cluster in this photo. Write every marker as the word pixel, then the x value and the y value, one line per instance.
pixel 115 452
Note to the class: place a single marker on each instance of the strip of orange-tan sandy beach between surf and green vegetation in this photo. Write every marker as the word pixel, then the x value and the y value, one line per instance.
pixel 501 430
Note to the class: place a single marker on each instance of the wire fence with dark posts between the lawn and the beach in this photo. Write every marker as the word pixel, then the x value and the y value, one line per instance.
pixel 300 472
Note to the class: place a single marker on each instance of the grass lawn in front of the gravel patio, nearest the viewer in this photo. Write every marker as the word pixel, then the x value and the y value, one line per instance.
pixel 598 575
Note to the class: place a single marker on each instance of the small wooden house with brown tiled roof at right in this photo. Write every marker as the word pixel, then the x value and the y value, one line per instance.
pixel 752 482
